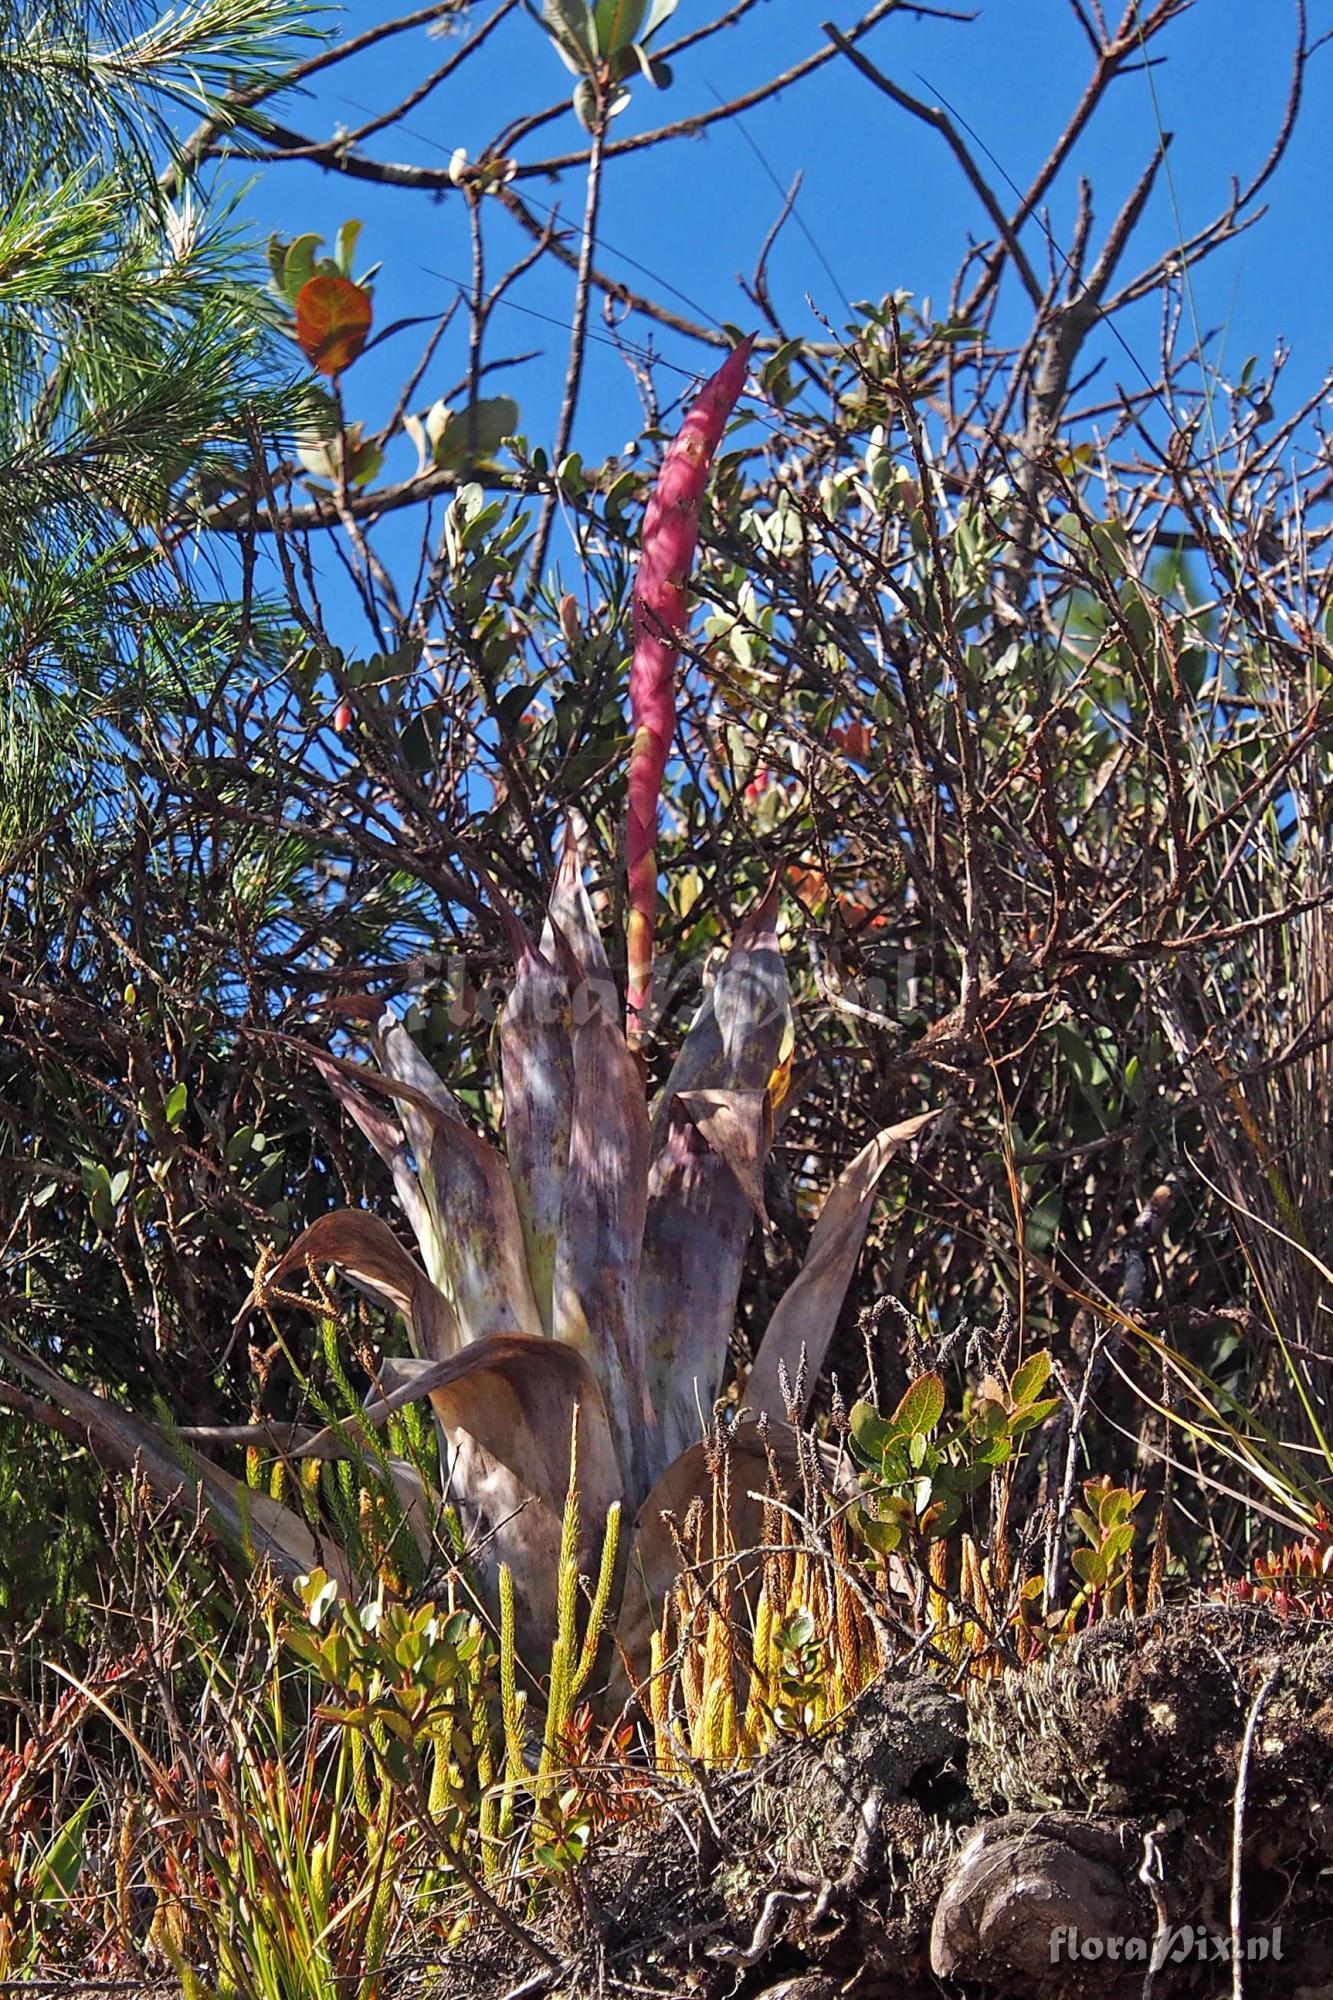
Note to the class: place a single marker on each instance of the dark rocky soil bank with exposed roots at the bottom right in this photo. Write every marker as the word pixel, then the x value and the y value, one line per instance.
pixel 952 1845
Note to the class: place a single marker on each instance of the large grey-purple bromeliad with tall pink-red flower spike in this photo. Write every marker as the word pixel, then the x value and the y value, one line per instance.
pixel 581 1283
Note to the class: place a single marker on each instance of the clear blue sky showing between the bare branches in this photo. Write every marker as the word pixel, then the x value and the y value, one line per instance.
pixel 882 197
